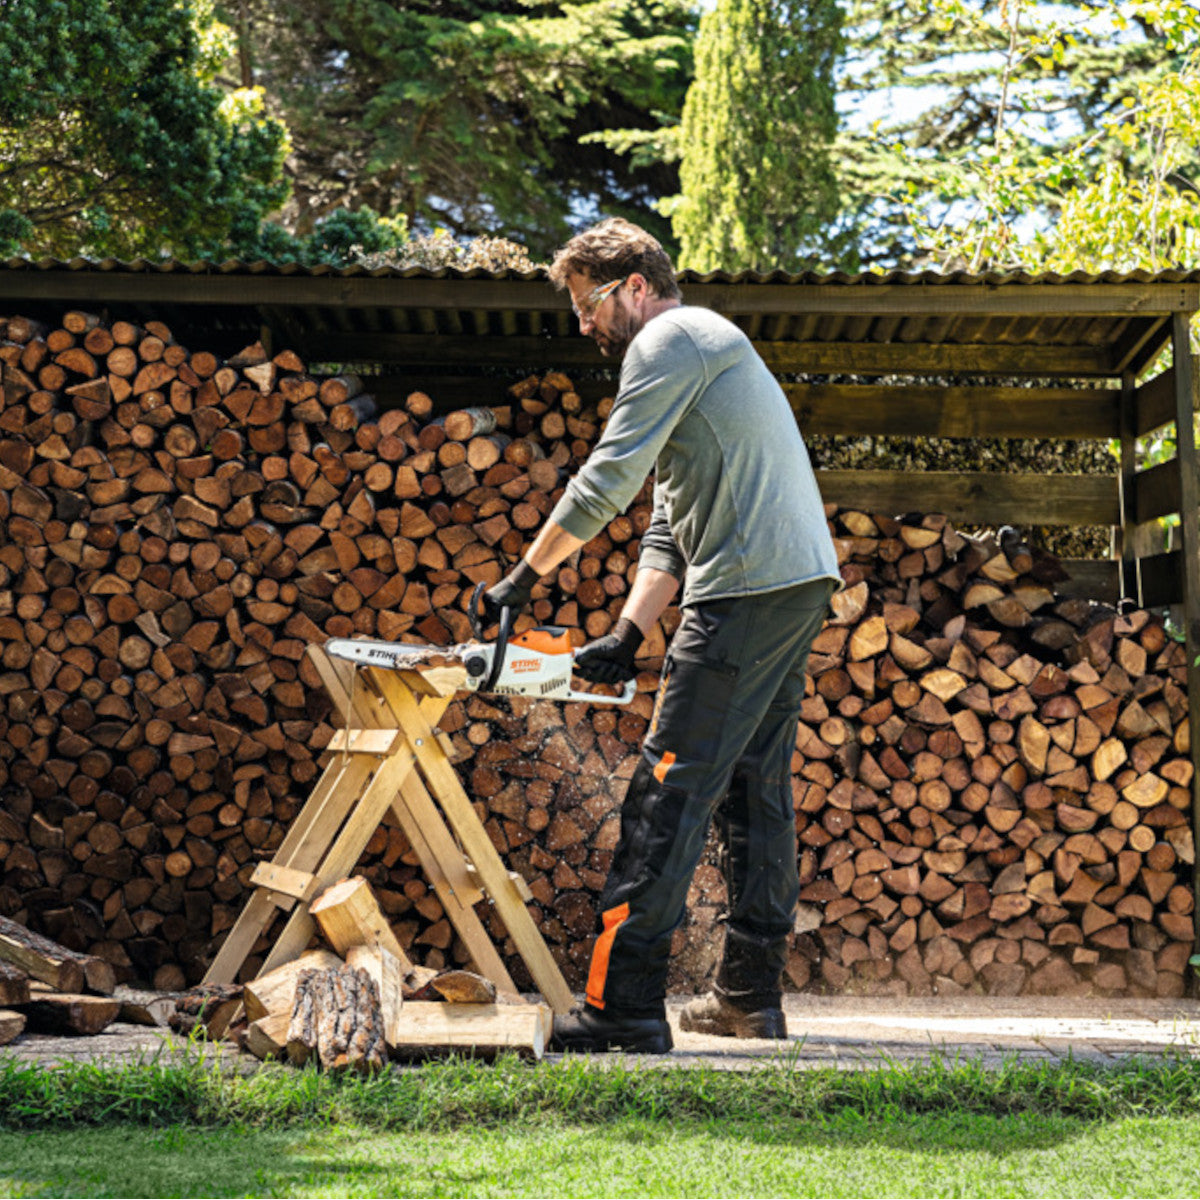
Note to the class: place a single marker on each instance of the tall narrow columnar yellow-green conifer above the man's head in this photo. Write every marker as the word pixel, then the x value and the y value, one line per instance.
pixel 758 187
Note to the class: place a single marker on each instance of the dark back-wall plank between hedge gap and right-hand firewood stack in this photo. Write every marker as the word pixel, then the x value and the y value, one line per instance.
pixel 979 499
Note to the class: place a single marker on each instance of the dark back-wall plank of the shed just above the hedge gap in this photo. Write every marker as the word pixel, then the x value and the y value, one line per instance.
pixel 957 412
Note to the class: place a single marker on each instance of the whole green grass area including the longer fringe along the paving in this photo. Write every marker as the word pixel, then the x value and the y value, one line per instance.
pixel 580 1130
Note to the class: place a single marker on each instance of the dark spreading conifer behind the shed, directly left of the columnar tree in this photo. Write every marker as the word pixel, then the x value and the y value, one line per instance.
pixel 483 117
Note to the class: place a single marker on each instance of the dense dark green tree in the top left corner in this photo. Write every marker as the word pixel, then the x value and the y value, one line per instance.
pixel 116 141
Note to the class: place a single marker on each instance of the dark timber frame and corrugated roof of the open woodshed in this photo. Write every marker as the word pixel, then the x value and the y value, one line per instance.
pixel 1031 357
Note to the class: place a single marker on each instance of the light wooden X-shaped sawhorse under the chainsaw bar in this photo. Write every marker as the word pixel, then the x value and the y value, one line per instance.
pixel 389 757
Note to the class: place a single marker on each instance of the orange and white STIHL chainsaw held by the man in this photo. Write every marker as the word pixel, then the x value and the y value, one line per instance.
pixel 538 663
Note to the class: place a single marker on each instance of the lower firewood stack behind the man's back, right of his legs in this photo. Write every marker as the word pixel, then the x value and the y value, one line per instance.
pixel 994 785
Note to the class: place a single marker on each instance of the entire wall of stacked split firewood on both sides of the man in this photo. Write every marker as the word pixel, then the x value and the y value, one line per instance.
pixel 176 531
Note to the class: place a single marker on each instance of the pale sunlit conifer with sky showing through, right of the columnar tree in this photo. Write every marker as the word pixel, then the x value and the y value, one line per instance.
pixel 939 91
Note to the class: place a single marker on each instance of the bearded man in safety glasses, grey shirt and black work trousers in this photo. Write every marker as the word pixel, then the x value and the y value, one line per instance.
pixel 737 517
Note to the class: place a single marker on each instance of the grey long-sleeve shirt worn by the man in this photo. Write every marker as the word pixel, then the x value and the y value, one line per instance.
pixel 736 506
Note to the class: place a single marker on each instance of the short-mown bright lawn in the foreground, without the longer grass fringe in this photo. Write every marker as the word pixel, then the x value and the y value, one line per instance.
pixel 927 1156
